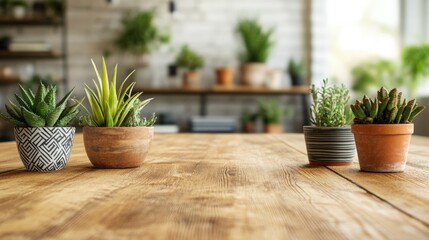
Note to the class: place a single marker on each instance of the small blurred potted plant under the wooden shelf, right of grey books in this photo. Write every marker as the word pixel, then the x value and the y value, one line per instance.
pixel 271 113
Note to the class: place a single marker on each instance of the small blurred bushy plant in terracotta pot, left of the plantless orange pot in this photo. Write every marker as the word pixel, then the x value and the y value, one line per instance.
pixel 191 61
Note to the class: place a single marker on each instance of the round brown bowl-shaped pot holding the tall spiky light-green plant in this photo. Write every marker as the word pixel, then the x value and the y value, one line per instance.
pixel 117 147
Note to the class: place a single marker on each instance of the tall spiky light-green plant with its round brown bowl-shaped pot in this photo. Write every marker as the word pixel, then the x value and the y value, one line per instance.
pixel 114 134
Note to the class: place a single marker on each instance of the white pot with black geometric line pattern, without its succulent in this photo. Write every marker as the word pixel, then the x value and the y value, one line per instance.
pixel 44 149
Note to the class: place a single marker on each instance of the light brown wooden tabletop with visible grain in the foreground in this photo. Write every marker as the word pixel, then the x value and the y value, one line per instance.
pixel 215 187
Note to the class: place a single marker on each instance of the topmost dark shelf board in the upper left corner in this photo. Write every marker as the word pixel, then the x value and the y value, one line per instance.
pixel 30 21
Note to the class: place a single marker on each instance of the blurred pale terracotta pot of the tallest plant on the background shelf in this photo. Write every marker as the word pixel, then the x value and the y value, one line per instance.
pixel 254 74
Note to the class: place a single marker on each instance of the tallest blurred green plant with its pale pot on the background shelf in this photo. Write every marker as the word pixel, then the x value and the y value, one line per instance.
pixel 257 43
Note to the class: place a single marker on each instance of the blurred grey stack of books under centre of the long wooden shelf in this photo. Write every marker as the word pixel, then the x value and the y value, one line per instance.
pixel 213 124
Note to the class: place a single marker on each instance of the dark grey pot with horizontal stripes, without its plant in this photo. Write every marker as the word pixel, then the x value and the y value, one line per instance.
pixel 329 146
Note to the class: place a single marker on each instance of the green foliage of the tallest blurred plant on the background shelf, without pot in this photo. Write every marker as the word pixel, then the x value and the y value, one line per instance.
pixel 257 41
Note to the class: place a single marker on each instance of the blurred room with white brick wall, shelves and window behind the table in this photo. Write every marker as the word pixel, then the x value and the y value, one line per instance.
pixel 219 65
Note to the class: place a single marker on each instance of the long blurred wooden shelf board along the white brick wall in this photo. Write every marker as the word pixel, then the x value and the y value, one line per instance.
pixel 295 90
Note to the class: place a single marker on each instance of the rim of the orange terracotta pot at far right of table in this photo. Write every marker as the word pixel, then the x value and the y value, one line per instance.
pixel 383 129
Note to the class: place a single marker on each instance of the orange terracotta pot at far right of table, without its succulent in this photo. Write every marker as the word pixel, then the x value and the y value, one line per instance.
pixel 382 147
